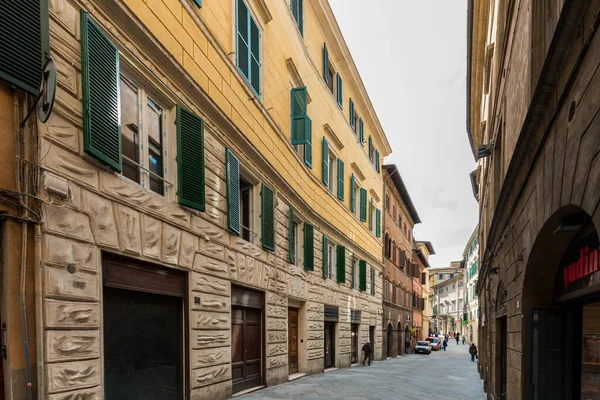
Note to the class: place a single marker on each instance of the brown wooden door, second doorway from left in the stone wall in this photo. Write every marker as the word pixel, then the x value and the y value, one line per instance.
pixel 246 347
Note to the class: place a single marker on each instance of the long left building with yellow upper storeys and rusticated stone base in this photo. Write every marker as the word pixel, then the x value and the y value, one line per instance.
pixel 207 197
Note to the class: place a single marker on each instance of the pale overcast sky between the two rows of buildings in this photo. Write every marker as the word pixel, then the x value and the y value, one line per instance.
pixel 411 56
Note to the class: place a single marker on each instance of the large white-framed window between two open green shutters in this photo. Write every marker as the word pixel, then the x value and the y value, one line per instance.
pixel 143 137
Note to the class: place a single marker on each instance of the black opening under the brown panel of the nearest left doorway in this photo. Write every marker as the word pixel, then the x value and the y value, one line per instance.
pixel 143 345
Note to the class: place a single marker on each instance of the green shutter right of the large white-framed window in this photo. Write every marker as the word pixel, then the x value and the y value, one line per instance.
pixel 190 159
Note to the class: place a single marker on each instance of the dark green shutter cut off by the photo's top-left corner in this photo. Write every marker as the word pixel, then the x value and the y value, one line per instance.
pixel 24 45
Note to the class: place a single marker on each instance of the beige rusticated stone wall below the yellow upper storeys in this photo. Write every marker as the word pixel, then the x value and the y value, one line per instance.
pixel 105 213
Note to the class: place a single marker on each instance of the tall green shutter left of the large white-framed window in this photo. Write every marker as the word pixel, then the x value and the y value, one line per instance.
pixel 101 96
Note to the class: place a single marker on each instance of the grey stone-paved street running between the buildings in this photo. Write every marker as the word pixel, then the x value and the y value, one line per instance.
pixel 448 375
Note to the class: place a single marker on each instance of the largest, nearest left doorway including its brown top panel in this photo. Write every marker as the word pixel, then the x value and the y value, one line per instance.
pixel 143 321
